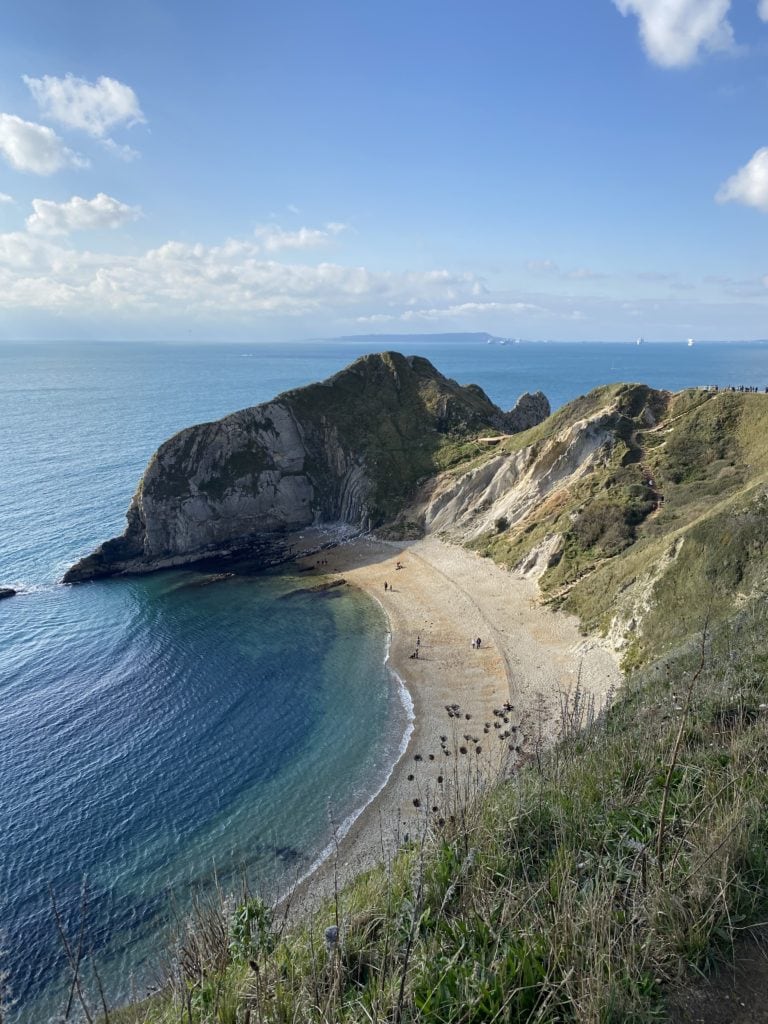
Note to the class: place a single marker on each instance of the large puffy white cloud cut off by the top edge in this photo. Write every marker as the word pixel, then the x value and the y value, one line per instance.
pixel 674 32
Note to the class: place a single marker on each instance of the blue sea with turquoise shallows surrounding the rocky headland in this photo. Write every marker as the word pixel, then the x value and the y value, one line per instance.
pixel 159 737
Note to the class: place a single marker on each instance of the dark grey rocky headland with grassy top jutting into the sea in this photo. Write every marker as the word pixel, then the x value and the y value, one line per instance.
pixel 350 450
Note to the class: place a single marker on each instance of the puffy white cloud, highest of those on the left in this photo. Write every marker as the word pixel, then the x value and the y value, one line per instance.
pixel 92 107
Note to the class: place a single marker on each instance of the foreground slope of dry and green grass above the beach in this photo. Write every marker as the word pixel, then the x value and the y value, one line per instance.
pixel 575 889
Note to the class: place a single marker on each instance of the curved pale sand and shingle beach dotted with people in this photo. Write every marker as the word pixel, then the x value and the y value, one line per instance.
pixel 441 601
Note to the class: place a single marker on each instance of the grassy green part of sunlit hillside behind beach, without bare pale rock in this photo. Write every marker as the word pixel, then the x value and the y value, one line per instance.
pixel 671 532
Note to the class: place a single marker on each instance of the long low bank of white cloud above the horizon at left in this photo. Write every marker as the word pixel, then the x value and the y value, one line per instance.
pixel 235 279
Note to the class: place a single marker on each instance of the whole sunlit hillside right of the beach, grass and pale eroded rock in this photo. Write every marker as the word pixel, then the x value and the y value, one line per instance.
pixel 644 513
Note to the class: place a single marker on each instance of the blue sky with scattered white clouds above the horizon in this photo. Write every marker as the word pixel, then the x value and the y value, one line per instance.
pixel 248 172
